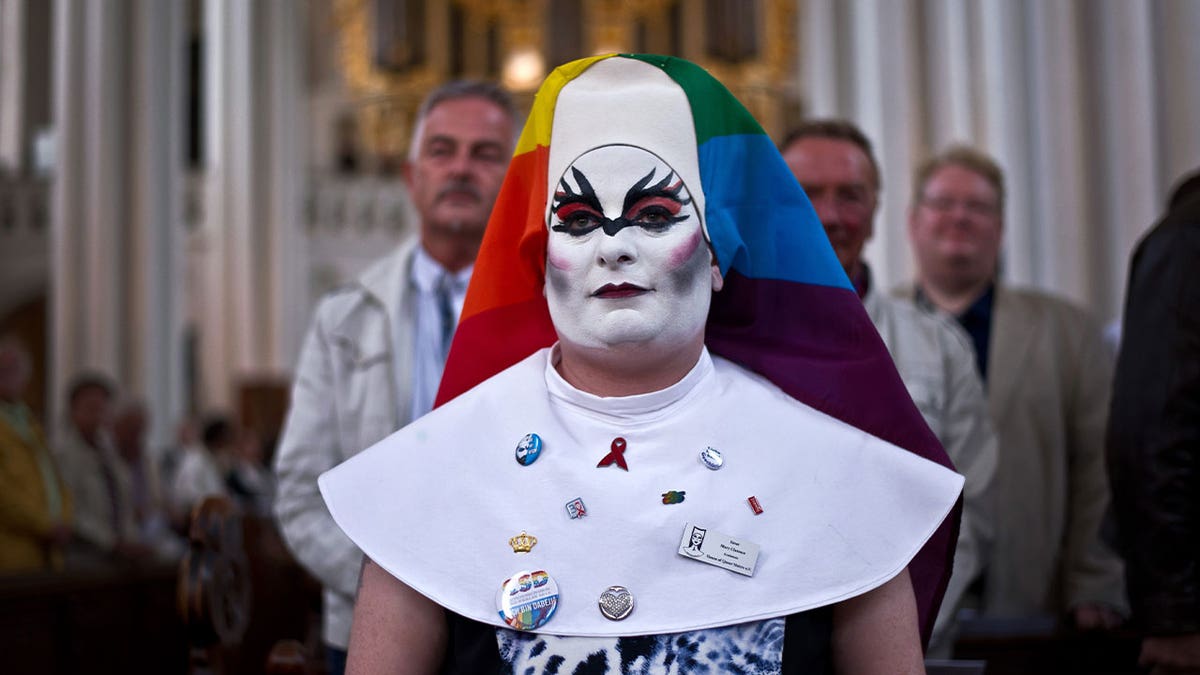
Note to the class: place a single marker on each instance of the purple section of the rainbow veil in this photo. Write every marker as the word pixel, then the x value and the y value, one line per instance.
pixel 818 344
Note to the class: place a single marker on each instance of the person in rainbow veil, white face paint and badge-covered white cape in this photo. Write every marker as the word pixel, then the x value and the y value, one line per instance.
pixel 653 357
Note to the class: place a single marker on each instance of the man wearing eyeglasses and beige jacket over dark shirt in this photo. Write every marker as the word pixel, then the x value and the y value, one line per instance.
pixel 1048 374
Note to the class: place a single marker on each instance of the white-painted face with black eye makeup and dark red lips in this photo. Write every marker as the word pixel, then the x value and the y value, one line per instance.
pixel 627 259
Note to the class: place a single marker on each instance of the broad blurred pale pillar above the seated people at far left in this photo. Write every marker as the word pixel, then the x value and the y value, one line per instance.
pixel 116 225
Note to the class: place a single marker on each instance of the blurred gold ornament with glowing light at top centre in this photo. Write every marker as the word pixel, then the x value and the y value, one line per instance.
pixel 393 52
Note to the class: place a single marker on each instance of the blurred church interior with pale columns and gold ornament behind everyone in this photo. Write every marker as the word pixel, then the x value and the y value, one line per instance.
pixel 181 181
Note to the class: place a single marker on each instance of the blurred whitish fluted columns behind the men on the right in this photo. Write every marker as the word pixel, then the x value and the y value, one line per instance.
pixel 1090 106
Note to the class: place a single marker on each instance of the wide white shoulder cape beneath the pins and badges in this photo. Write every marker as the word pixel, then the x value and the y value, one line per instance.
pixel 437 503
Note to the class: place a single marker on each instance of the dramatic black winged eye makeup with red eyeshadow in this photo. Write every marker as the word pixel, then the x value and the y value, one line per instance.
pixel 655 208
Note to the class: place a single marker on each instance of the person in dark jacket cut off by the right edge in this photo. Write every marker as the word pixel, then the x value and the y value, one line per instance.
pixel 1154 443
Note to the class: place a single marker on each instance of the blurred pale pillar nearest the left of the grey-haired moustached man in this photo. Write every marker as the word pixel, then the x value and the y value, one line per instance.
pixel 253 267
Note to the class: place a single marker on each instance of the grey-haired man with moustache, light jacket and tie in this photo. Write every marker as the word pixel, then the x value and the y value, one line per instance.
pixel 376 347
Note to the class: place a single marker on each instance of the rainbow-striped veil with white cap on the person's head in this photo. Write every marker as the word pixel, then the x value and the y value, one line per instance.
pixel 788 310
